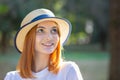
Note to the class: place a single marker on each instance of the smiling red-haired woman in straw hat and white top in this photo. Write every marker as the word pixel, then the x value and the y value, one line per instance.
pixel 40 40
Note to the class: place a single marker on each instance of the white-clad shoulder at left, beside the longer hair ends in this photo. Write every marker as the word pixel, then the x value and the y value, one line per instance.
pixel 12 75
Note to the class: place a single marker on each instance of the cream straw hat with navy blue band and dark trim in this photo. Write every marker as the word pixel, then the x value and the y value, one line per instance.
pixel 37 16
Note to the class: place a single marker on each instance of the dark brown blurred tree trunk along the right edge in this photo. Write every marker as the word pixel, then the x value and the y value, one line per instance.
pixel 115 40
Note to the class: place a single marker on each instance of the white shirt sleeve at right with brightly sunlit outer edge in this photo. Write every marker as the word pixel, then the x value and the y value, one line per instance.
pixel 74 73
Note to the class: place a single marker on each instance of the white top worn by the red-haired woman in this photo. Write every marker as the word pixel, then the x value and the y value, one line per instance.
pixel 68 71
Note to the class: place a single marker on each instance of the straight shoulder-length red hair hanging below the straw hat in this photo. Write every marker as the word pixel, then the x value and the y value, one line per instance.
pixel 26 61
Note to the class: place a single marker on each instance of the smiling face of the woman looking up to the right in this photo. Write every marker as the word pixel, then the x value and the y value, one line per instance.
pixel 47 37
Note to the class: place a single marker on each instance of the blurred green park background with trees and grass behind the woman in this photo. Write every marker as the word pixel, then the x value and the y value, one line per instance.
pixel 94 43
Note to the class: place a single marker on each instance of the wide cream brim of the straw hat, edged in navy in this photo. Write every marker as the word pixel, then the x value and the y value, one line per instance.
pixel 65 31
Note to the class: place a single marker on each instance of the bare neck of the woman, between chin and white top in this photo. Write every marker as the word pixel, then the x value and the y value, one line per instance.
pixel 41 62
